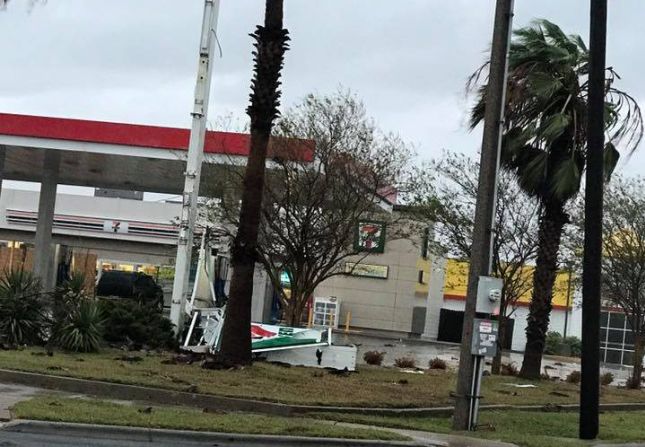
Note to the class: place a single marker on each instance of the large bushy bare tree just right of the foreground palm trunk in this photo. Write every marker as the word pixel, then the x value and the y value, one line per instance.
pixel 312 210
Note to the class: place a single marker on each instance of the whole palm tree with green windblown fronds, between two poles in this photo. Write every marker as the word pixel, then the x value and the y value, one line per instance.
pixel 544 145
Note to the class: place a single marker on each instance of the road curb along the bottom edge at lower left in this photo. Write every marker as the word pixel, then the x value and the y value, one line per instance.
pixel 156 434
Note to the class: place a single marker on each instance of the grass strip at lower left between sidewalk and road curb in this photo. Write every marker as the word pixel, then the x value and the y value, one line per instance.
pixel 54 408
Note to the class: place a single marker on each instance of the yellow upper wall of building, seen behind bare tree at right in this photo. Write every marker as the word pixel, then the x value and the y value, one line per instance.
pixel 456 283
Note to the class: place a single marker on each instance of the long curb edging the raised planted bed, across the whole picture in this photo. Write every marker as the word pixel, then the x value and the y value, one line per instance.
pixel 162 396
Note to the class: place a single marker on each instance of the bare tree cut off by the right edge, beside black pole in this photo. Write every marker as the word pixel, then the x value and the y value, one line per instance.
pixel 623 264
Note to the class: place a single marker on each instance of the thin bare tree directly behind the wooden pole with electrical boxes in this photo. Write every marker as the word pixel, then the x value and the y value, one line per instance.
pixel 515 238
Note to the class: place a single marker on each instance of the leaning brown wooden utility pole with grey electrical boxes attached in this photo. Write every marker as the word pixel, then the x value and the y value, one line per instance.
pixel 480 259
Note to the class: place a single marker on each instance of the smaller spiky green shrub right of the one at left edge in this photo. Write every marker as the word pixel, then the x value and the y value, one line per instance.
pixel 82 330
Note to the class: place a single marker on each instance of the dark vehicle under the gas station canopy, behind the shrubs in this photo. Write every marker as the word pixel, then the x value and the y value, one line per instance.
pixel 131 285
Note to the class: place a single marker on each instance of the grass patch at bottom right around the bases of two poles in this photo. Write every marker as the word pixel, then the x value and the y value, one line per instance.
pixel 530 429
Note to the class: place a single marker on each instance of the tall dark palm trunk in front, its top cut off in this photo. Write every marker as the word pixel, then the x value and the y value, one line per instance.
pixel 270 46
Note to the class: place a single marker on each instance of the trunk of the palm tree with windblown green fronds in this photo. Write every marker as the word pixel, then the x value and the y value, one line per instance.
pixel 551 224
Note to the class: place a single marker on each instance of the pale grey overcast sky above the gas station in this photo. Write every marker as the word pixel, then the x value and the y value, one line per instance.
pixel 135 60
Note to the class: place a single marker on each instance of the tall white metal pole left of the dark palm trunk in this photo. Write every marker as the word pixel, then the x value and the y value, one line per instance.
pixel 194 162
